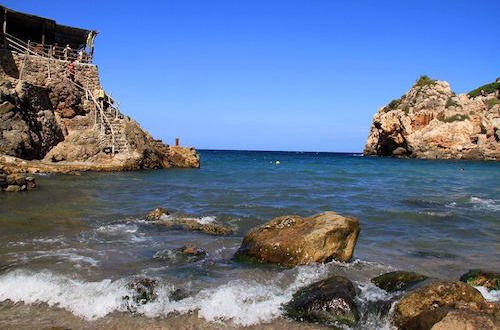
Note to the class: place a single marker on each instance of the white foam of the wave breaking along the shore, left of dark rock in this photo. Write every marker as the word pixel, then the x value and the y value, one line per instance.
pixel 243 302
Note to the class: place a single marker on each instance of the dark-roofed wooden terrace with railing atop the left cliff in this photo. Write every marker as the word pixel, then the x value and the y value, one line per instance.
pixel 45 36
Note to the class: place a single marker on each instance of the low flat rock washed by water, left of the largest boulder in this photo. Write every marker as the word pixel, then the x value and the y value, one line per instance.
pixel 162 216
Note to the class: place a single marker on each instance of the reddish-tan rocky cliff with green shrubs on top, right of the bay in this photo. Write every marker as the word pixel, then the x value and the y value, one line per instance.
pixel 430 121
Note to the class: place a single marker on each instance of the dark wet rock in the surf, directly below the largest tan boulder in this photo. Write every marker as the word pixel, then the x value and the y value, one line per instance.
pixel 330 301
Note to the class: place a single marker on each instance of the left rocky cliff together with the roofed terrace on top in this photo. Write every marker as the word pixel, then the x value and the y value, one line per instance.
pixel 54 113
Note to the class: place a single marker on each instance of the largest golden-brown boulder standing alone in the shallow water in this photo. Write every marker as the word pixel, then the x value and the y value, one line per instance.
pixel 292 240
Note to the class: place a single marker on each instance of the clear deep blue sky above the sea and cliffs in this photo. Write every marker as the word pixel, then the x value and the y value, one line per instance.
pixel 277 75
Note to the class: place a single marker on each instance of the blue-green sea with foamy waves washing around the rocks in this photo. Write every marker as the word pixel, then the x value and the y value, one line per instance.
pixel 70 248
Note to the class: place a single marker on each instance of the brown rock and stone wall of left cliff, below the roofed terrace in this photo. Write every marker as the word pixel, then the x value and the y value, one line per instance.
pixel 47 123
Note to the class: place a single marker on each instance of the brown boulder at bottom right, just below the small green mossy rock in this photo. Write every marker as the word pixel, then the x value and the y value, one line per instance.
pixel 426 306
